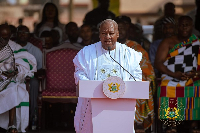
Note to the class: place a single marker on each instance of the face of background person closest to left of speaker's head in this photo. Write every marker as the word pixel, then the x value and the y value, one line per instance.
pixel 86 33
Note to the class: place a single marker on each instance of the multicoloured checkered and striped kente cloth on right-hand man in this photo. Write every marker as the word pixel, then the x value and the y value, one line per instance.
pixel 174 93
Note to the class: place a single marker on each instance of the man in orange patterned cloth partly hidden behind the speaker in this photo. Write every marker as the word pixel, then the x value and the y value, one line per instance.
pixel 144 107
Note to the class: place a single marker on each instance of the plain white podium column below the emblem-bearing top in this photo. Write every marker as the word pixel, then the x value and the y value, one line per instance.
pixel 113 115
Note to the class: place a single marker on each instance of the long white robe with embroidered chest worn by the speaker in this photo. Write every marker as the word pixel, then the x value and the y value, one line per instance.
pixel 94 63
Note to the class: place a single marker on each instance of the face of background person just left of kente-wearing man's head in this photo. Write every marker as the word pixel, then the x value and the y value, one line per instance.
pixel 169 30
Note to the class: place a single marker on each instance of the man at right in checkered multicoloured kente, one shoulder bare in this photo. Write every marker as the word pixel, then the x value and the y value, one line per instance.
pixel 178 59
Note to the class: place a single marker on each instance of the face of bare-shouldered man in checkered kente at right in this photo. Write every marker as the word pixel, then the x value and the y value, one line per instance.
pixel 185 28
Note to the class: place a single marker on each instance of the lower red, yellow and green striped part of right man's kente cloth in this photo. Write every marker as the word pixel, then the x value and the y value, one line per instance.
pixel 188 98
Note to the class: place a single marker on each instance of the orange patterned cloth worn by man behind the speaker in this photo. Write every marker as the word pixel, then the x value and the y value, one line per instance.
pixel 144 107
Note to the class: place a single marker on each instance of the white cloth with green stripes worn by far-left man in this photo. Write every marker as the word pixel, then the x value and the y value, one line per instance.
pixel 15 94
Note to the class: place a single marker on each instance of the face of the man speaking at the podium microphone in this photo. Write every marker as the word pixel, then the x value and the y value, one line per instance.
pixel 108 35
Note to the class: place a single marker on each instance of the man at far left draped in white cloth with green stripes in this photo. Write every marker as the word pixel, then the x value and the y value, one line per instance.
pixel 14 98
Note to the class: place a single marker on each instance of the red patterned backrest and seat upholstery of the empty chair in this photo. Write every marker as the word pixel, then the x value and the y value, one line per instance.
pixel 60 74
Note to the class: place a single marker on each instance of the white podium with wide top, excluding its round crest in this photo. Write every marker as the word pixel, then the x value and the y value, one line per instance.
pixel 113 115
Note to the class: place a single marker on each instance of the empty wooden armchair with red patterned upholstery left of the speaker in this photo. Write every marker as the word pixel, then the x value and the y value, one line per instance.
pixel 58 84
